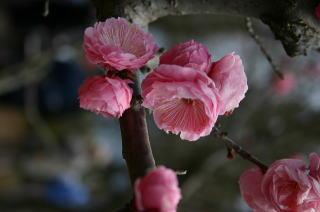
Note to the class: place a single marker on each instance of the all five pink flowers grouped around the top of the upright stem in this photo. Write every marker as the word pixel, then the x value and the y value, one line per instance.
pixel 186 92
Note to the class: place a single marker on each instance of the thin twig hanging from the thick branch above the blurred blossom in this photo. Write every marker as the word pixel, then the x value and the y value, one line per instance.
pixel 256 38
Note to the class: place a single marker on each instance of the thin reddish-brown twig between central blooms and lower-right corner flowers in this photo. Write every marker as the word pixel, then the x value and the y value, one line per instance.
pixel 232 145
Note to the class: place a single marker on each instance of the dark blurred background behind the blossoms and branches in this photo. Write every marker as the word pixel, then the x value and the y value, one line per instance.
pixel 56 157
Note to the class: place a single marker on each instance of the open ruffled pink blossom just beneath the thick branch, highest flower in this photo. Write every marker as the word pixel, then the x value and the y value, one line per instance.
pixel 117 45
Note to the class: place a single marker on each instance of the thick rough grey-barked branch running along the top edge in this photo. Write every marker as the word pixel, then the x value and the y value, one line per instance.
pixel 292 21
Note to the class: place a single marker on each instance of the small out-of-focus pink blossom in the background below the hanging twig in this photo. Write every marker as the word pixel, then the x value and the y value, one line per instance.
pixel 286 85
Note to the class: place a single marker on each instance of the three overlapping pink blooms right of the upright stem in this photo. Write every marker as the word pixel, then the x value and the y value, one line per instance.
pixel 187 92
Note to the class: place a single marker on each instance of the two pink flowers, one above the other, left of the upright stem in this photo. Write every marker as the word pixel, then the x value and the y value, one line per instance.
pixel 115 45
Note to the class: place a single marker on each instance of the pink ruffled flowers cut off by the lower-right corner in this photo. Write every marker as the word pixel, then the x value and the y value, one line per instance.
pixel 287 186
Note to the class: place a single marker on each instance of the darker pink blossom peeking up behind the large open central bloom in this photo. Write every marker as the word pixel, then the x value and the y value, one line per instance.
pixel 188 54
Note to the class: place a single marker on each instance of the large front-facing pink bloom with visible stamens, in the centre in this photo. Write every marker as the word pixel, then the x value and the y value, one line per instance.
pixel 183 100
